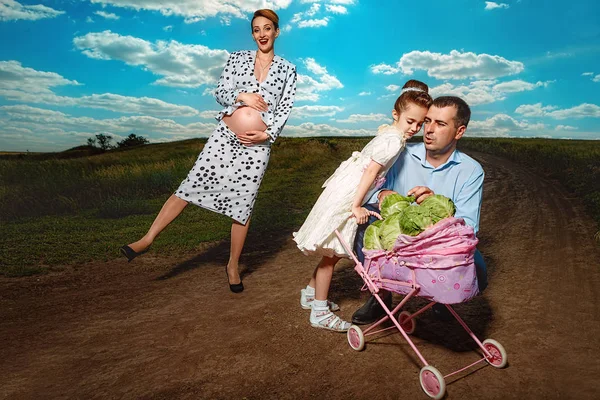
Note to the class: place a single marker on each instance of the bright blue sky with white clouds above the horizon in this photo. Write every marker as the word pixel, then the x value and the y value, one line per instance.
pixel 70 69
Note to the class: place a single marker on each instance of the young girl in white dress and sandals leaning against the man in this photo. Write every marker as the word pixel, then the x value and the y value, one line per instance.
pixel 339 206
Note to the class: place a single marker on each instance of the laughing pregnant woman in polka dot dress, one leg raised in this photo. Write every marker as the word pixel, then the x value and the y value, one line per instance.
pixel 257 90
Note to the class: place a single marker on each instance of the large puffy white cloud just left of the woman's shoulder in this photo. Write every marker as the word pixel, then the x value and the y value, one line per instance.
pixel 180 65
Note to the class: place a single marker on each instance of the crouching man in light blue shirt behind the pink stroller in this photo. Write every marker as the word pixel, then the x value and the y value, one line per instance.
pixel 432 167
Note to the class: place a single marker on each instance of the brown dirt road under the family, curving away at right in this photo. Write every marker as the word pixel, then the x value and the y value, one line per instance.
pixel 162 328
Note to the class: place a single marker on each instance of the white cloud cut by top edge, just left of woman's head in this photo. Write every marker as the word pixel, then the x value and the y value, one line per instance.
pixel 198 10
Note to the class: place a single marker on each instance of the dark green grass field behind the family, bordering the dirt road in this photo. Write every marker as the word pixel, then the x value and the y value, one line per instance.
pixel 56 211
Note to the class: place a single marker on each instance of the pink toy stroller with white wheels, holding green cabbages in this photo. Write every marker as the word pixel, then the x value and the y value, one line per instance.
pixel 437 265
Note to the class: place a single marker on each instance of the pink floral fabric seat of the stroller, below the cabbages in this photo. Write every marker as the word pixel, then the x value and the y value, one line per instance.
pixel 439 260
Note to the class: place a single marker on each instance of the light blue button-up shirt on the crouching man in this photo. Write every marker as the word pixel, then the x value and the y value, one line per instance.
pixel 460 179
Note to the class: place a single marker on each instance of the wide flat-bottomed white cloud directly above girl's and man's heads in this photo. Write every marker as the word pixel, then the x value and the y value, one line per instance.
pixel 456 65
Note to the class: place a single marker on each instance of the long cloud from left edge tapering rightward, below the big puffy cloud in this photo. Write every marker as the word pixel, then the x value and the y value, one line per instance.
pixel 26 85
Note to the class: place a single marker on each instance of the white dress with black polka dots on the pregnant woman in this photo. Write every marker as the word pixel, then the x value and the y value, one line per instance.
pixel 227 174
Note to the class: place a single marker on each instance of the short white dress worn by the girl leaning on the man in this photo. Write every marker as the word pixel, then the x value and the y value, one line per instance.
pixel 333 209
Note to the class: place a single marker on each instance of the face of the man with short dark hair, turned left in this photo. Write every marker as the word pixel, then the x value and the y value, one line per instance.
pixel 440 133
